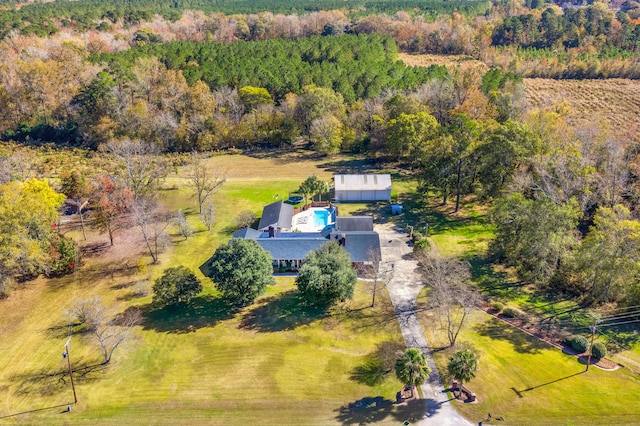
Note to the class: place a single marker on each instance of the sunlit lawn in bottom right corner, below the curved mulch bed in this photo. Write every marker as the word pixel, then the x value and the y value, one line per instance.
pixel 529 382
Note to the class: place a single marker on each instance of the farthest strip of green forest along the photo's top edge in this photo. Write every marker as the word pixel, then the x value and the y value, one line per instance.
pixel 42 19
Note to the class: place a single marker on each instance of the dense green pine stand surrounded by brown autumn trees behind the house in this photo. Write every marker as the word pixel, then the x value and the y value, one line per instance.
pixel 354 66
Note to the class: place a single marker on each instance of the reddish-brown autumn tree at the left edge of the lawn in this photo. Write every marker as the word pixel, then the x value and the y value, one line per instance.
pixel 111 201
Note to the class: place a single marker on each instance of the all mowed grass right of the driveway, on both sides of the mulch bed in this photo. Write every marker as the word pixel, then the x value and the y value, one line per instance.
pixel 520 378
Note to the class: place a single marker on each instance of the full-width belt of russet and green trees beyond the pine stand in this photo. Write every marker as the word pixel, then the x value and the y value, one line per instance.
pixel 534 39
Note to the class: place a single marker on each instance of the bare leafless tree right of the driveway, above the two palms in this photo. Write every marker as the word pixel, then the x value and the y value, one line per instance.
pixel 450 293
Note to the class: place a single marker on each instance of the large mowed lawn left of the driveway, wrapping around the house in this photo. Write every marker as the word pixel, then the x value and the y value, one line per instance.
pixel 270 363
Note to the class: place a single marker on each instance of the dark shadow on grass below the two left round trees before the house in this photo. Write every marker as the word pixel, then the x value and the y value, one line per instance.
pixel 202 311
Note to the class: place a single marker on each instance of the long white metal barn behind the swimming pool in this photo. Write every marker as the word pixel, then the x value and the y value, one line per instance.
pixel 362 188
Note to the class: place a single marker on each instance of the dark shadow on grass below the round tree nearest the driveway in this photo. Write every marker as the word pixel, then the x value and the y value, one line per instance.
pixel 281 312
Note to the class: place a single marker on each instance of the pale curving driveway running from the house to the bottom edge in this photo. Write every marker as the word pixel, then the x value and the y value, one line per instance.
pixel 399 270
